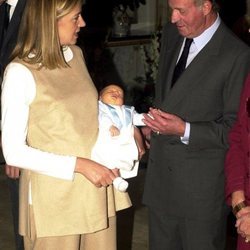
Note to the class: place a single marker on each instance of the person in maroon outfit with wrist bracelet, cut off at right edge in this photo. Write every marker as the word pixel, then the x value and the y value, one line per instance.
pixel 237 169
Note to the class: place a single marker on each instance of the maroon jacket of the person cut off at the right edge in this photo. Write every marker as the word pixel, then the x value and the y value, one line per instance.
pixel 237 161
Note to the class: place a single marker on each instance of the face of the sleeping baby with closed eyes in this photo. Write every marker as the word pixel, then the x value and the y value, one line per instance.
pixel 113 95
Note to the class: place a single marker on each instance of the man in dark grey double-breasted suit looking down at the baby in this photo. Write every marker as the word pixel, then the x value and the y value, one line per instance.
pixel 184 187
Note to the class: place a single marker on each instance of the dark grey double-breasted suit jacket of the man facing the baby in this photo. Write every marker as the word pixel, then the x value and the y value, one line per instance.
pixel 188 180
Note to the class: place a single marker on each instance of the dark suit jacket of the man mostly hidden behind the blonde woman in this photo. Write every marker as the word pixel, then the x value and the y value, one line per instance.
pixel 10 38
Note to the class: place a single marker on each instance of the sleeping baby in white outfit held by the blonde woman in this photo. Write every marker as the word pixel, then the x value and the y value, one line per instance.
pixel 116 145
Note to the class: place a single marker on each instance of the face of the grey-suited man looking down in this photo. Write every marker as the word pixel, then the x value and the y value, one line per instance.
pixel 188 18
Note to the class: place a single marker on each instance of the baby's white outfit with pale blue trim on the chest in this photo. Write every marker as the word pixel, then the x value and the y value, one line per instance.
pixel 118 151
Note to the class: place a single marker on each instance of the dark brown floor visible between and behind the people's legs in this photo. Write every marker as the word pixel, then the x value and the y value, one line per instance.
pixel 132 223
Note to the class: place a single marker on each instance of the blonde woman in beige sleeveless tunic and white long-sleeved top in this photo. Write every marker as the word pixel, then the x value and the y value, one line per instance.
pixel 49 126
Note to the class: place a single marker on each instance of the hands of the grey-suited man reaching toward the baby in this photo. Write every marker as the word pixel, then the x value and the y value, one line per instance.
pixel 164 123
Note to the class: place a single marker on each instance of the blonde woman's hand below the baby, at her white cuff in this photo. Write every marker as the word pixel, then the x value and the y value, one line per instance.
pixel 96 173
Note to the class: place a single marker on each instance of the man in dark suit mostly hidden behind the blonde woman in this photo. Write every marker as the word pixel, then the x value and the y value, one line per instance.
pixel 7 44
